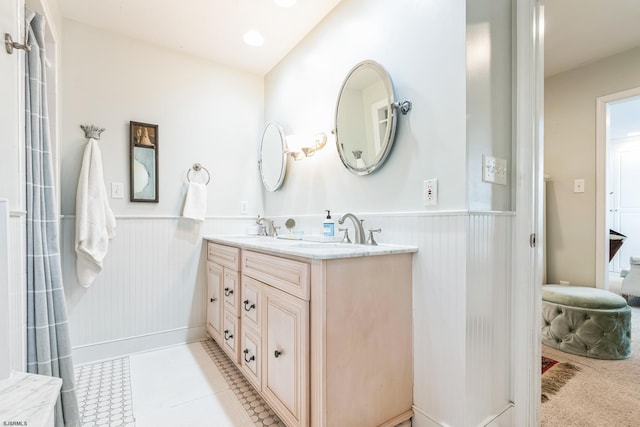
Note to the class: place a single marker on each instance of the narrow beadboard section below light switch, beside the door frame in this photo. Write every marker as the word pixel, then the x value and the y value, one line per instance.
pixel 488 343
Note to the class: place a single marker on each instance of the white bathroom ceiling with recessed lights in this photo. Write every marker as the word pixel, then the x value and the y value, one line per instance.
pixel 211 29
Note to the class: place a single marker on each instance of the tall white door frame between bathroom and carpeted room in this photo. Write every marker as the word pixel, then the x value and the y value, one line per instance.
pixel 527 261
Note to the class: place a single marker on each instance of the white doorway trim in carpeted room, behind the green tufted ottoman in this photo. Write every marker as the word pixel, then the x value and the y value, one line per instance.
pixel 602 233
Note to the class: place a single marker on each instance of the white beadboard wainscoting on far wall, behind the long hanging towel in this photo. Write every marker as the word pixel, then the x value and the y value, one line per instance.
pixel 151 292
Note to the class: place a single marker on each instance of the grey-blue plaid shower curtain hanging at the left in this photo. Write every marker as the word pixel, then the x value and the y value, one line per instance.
pixel 48 340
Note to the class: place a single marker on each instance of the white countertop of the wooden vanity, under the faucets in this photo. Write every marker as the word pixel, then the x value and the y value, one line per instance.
pixel 307 249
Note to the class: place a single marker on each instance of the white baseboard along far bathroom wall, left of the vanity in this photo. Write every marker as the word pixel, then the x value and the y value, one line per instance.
pixel 121 347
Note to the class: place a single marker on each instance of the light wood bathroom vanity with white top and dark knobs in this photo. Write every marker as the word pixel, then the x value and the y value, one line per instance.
pixel 322 330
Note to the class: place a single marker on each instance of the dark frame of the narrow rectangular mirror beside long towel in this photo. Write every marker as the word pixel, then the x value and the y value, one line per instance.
pixel 150 144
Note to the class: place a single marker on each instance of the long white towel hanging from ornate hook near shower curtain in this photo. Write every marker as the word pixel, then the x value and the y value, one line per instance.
pixel 95 223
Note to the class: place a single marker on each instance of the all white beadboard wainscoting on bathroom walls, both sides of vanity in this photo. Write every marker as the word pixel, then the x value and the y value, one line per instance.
pixel 152 293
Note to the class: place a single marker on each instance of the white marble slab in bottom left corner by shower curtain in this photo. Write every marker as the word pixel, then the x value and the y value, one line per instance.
pixel 28 398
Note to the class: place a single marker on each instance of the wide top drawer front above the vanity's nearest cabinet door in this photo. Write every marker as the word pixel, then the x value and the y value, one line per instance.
pixel 285 274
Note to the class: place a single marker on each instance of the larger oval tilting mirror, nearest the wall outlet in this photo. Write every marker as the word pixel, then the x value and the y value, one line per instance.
pixel 365 118
